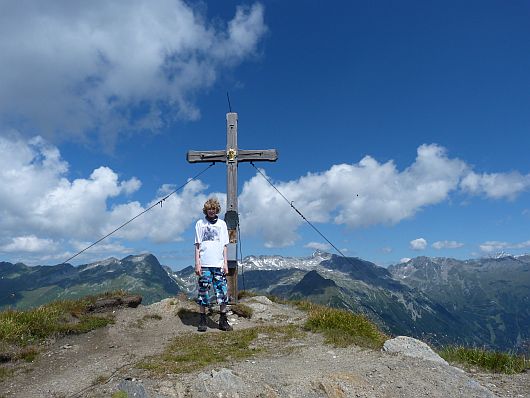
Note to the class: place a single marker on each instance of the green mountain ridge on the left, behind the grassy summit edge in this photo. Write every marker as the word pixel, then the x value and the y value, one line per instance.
pixel 24 287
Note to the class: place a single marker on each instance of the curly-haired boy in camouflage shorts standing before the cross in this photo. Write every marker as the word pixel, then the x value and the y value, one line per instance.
pixel 211 266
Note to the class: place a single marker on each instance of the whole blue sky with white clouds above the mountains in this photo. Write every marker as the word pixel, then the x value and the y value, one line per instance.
pixel 402 127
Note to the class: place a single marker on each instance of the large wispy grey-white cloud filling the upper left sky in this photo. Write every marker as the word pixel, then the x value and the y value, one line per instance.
pixel 69 68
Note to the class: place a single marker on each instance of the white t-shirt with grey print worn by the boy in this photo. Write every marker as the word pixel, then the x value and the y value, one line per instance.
pixel 212 239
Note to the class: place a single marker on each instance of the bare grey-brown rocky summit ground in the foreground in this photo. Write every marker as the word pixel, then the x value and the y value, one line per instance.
pixel 103 362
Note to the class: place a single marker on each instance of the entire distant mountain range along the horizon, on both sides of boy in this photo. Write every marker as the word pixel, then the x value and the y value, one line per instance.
pixel 482 302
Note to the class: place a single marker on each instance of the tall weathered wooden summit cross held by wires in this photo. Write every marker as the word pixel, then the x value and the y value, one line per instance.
pixel 232 156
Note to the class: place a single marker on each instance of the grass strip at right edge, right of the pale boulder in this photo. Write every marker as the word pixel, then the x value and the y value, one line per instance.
pixel 492 361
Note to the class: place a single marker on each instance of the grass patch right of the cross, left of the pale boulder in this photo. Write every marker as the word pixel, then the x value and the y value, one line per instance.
pixel 342 328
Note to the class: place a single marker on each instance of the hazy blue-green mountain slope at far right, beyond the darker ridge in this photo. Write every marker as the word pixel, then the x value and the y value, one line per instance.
pixel 491 296
